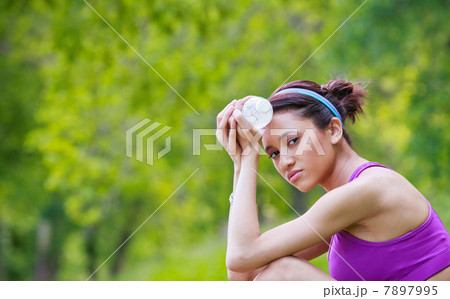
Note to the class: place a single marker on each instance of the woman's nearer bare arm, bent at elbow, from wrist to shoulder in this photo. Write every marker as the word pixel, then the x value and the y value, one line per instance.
pixel 336 210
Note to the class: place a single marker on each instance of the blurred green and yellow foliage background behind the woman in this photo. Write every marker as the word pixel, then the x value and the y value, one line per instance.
pixel 70 88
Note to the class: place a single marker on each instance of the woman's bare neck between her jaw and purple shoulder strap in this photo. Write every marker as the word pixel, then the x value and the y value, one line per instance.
pixel 346 162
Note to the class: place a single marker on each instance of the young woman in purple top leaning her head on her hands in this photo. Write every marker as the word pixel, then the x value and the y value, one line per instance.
pixel 374 224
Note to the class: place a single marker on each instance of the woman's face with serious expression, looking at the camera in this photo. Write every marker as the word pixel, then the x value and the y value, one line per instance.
pixel 302 153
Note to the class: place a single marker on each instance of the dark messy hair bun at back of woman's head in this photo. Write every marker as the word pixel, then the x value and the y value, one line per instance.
pixel 350 95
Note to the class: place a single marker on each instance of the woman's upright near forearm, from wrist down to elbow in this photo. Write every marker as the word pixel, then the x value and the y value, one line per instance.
pixel 243 224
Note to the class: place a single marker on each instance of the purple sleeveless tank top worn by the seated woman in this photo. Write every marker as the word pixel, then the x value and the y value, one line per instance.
pixel 416 255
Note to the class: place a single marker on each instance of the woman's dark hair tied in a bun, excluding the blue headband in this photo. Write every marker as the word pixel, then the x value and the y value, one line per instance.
pixel 347 97
